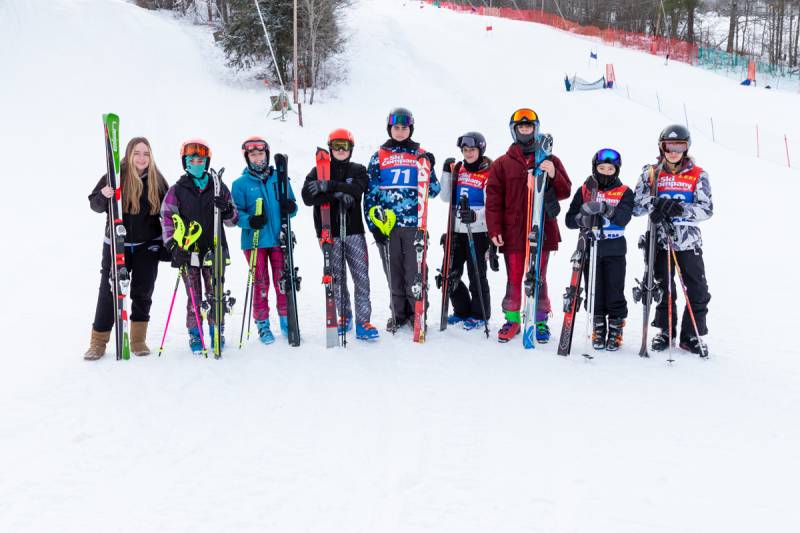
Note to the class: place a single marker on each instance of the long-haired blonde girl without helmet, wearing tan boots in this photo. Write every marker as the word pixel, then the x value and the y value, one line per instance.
pixel 142 190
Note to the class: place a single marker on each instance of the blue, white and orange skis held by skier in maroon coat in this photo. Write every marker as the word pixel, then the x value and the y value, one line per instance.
pixel 537 182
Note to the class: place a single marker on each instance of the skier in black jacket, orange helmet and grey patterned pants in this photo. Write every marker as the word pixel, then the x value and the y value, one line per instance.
pixel 344 192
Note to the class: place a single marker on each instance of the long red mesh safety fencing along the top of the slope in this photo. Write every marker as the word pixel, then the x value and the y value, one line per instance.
pixel 678 50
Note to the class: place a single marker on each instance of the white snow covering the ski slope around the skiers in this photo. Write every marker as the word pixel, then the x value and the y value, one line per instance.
pixel 460 434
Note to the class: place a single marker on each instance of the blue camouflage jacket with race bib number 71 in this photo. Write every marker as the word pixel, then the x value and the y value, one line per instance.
pixel 393 182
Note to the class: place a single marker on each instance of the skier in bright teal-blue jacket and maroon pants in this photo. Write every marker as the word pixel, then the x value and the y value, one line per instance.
pixel 259 180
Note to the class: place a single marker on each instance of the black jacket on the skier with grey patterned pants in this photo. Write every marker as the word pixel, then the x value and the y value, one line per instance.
pixel 346 177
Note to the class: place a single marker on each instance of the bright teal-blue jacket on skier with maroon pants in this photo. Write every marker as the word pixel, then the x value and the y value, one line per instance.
pixel 245 191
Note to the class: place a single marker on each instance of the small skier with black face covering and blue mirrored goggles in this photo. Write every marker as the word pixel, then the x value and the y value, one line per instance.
pixel 604 195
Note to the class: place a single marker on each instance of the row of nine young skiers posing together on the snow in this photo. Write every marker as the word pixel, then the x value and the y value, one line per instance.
pixel 489 205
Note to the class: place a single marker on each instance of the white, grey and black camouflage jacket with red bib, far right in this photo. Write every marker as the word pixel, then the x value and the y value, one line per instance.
pixel 690 185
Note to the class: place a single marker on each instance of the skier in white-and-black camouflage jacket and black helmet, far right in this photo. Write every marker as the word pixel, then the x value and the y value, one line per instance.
pixel 682 199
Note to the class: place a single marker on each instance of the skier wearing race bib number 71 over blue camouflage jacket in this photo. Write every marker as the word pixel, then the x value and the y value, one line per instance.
pixel 393 185
